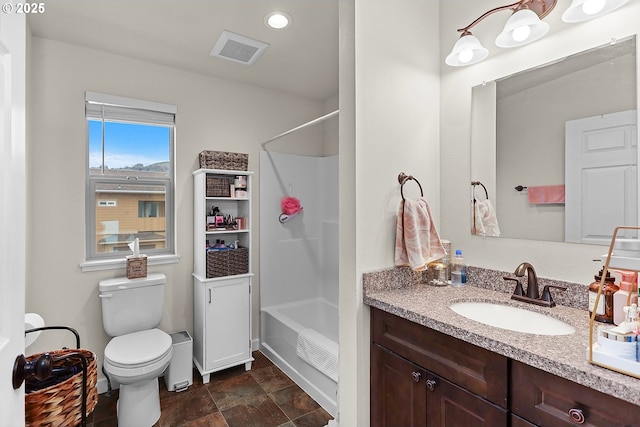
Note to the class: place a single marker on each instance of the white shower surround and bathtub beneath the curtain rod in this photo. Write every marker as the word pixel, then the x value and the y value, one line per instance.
pixel 299 271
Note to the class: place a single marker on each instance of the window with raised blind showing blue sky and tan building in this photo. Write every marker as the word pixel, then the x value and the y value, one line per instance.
pixel 130 176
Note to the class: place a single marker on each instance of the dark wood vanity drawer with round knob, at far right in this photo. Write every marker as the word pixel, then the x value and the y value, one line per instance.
pixel 546 400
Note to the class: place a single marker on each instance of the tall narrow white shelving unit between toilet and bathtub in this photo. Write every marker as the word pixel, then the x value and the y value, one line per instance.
pixel 221 303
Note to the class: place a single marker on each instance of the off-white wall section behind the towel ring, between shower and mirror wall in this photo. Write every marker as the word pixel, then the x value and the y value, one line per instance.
pixel 393 101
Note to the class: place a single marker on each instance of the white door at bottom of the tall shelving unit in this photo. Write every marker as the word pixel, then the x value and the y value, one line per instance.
pixel 227 323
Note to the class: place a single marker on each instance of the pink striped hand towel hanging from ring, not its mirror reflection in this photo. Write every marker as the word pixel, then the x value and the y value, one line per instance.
pixel 417 240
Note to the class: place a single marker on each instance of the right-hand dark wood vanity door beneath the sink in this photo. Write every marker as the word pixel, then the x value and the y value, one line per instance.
pixel 451 406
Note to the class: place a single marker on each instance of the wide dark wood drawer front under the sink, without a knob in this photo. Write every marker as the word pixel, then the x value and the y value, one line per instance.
pixel 468 366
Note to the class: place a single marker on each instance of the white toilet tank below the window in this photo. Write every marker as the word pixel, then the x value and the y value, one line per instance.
pixel 131 305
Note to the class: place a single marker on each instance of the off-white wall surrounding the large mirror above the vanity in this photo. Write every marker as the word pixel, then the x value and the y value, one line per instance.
pixel 554 260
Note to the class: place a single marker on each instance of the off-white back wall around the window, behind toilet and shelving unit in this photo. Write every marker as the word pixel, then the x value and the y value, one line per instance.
pixel 212 114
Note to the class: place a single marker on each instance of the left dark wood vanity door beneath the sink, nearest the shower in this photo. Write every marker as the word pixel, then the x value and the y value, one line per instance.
pixel 398 392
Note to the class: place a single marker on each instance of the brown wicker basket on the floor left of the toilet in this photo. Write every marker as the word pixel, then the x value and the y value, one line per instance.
pixel 61 404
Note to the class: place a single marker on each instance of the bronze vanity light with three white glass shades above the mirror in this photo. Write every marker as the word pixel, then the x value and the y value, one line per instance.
pixel 524 26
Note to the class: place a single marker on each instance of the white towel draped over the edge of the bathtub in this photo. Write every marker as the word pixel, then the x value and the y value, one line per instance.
pixel 318 351
